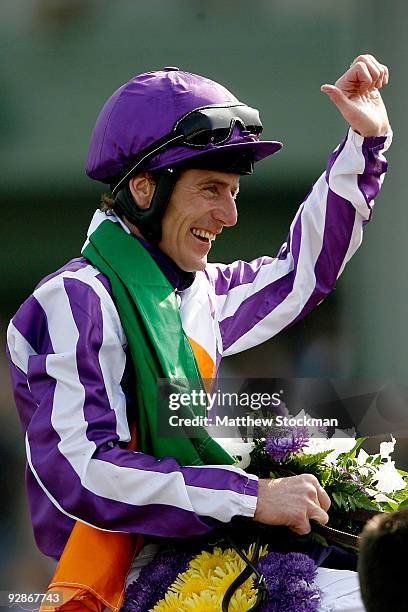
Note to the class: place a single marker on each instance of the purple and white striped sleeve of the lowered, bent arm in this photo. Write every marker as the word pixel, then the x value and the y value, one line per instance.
pixel 75 419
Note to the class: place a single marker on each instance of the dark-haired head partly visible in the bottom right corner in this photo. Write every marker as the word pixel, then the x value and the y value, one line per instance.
pixel 382 562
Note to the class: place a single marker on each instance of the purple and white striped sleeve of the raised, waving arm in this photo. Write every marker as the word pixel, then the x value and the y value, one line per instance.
pixel 257 300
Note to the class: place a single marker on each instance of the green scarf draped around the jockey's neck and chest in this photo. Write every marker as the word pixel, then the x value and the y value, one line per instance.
pixel 159 348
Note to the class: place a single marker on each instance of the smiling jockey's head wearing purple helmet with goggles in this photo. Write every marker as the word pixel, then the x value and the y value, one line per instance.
pixel 172 146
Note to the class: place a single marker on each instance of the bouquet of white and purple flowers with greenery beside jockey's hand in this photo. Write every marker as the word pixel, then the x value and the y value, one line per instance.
pixel 359 484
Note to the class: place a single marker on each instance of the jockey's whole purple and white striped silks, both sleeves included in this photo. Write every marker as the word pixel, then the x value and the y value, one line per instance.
pixel 67 352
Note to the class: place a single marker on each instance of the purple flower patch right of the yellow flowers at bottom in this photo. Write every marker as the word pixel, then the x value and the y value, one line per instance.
pixel 289 580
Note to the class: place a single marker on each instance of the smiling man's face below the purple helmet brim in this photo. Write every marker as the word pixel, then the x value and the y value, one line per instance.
pixel 202 204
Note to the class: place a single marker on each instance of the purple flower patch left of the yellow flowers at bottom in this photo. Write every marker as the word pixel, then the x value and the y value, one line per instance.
pixel 154 580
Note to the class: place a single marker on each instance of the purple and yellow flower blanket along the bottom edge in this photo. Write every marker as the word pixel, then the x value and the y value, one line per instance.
pixel 180 582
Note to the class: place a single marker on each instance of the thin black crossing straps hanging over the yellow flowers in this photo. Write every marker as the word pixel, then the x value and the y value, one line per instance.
pixel 251 568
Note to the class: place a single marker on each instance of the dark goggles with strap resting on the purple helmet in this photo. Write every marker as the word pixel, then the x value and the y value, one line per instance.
pixel 199 128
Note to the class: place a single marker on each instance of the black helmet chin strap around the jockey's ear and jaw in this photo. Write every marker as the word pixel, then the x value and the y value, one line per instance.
pixel 149 220
